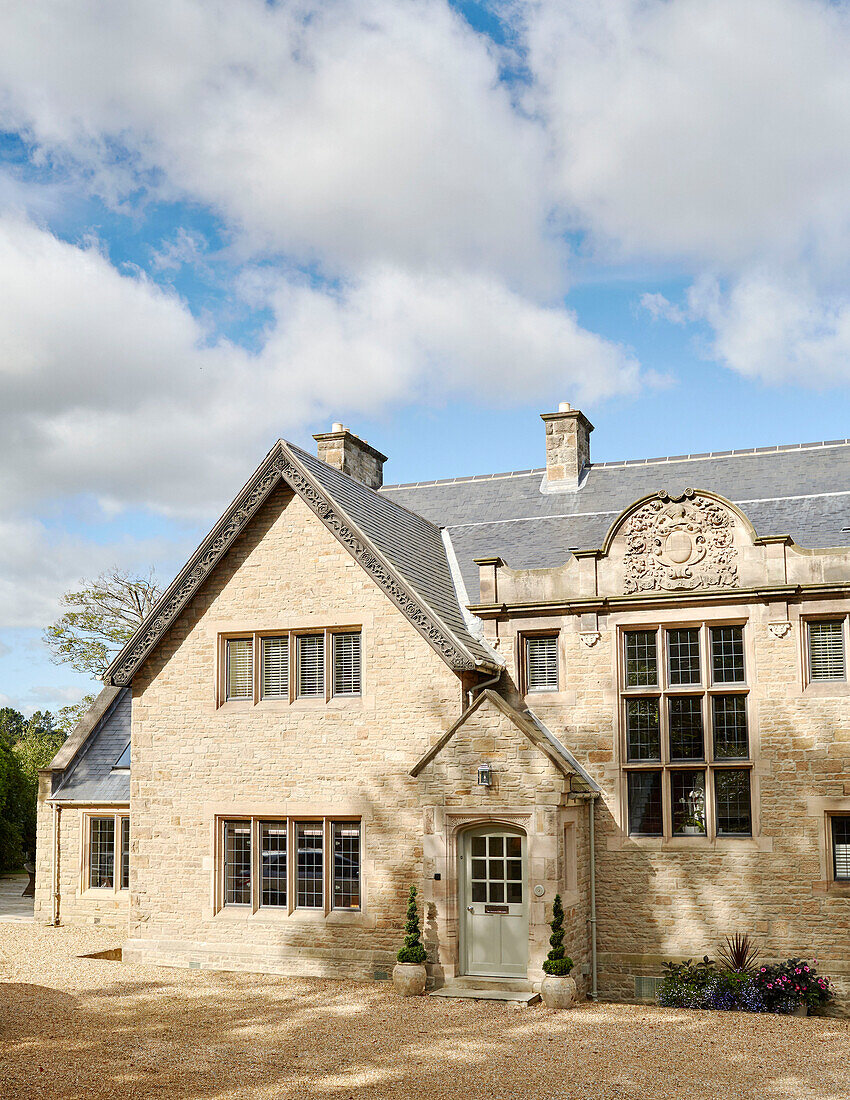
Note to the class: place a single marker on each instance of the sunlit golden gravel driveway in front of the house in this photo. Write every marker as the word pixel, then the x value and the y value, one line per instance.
pixel 79 1028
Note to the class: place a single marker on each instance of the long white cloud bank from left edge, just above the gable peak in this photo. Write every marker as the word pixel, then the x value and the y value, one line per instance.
pixel 109 386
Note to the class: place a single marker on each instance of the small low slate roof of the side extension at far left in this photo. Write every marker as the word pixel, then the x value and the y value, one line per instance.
pixel 91 776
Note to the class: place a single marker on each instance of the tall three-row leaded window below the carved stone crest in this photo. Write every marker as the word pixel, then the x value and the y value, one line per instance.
pixel 685 702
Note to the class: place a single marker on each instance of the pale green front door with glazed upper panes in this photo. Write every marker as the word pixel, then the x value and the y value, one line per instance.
pixel 494 912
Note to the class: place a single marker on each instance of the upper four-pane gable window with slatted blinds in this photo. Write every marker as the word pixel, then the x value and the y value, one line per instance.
pixel 292 665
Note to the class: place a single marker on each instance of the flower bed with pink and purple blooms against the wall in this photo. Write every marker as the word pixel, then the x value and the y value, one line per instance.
pixel 781 987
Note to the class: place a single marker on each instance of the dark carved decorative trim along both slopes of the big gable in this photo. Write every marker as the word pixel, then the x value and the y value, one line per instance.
pixel 233 524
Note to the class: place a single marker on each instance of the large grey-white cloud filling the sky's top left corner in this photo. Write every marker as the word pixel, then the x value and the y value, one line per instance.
pixel 365 131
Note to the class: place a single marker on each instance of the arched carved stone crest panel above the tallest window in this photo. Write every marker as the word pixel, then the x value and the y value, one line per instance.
pixel 681 543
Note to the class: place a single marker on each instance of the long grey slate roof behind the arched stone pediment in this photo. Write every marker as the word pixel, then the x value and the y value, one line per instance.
pixel 803 491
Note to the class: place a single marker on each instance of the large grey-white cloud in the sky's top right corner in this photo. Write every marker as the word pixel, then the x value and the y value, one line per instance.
pixel 713 131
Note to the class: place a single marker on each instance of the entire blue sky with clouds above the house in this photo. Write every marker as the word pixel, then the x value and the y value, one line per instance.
pixel 226 223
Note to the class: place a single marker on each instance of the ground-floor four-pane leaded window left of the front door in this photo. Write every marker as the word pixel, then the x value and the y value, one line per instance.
pixel 290 864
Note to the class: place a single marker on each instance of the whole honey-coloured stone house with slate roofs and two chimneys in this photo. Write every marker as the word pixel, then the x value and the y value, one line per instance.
pixel 624 683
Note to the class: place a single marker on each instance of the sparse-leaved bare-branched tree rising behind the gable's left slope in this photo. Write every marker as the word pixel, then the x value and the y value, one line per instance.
pixel 101 618
